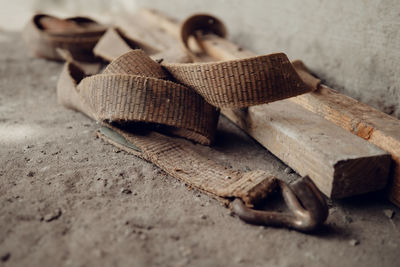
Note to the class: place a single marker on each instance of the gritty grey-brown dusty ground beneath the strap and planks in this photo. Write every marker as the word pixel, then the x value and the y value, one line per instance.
pixel 69 199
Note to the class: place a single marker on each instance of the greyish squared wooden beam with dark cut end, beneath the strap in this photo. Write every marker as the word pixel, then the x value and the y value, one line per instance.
pixel 341 164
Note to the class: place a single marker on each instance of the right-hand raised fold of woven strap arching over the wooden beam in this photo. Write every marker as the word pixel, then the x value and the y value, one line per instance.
pixel 241 83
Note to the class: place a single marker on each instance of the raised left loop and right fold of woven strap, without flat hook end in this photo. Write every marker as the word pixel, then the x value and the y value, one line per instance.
pixel 135 88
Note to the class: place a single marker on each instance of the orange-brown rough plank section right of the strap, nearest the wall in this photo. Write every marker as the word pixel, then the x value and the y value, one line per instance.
pixel 360 119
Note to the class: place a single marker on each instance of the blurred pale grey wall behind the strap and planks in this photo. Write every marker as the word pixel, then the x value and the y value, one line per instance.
pixel 354 46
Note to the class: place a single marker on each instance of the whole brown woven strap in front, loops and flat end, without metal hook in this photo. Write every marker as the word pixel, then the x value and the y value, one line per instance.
pixel 143 103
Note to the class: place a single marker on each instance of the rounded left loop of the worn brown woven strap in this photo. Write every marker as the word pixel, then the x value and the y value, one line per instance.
pixel 134 88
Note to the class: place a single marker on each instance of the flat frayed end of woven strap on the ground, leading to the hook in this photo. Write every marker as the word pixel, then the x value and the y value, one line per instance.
pixel 178 158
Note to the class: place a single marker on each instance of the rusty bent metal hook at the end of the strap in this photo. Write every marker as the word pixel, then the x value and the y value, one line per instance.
pixel 307 205
